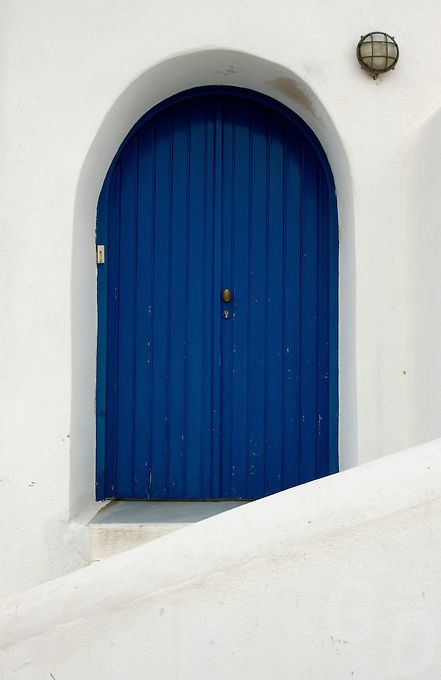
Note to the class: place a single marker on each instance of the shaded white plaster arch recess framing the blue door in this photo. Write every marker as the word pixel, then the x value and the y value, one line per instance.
pixel 178 73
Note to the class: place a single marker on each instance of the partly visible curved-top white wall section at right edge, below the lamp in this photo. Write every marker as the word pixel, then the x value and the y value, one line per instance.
pixel 423 278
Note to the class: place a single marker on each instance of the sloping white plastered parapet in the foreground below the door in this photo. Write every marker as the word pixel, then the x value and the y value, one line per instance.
pixel 335 579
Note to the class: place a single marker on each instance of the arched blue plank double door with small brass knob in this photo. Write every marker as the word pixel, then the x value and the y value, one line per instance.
pixel 198 396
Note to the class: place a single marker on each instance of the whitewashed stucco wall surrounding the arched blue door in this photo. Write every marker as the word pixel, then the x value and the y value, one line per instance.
pixel 75 77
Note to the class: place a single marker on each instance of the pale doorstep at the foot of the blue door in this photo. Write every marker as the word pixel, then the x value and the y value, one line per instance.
pixel 122 525
